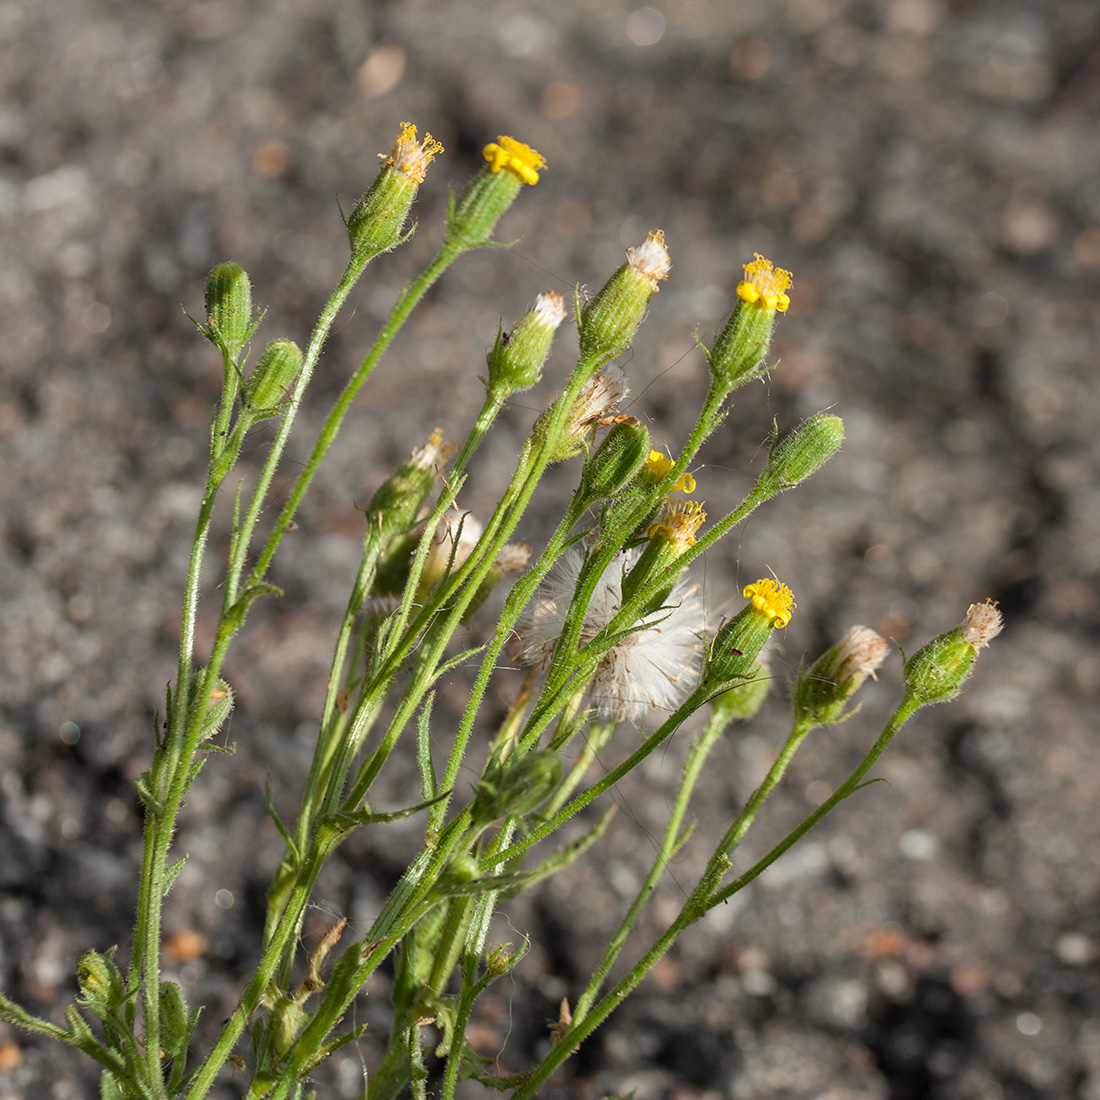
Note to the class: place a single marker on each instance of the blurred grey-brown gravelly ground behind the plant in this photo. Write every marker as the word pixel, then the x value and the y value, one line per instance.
pixel 928 169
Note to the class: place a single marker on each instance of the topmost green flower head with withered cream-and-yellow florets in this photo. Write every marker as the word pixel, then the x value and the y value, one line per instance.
pixel 378 221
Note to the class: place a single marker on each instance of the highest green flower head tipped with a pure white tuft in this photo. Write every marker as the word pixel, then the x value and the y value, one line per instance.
pixel 608 324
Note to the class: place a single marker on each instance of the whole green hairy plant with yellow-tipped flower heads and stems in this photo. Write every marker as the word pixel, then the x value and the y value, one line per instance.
pixel 607 619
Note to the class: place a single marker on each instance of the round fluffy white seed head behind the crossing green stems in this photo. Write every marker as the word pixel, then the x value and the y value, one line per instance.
pixel 656 665
